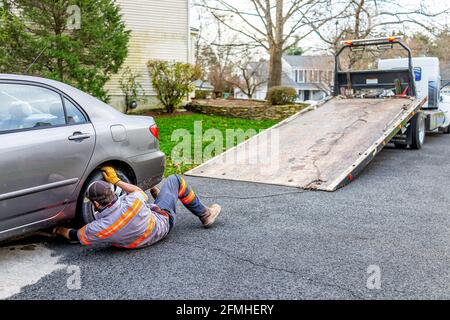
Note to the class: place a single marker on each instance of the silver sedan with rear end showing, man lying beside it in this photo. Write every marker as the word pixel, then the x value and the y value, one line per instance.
pixel 53 140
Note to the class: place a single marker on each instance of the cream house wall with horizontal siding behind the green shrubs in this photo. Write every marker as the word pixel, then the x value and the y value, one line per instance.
pixel 159 30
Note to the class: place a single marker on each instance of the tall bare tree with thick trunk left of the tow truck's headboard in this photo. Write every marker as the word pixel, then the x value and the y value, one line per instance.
pixel 275 25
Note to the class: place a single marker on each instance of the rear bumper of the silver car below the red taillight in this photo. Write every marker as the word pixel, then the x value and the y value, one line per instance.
pixel 149 168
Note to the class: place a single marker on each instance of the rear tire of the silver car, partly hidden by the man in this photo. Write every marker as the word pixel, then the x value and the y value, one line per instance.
pixel 85 212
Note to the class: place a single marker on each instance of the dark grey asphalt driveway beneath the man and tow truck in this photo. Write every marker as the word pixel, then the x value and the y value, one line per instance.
pixel 281 243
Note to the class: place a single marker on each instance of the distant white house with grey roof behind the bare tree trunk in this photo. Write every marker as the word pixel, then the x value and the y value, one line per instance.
pixel 311 76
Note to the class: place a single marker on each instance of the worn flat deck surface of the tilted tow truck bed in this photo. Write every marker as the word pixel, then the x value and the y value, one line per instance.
pixel 320 148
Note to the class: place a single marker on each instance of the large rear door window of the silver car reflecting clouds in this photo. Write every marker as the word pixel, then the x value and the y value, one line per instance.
pixel 28 107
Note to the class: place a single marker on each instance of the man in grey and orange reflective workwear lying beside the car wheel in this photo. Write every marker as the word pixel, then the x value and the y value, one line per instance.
pixel 129 221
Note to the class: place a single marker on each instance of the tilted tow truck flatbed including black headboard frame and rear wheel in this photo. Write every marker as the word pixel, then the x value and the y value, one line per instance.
pixel 324 147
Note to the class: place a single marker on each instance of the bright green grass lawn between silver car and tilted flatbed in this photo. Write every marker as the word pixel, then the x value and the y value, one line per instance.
pixel 168 124
